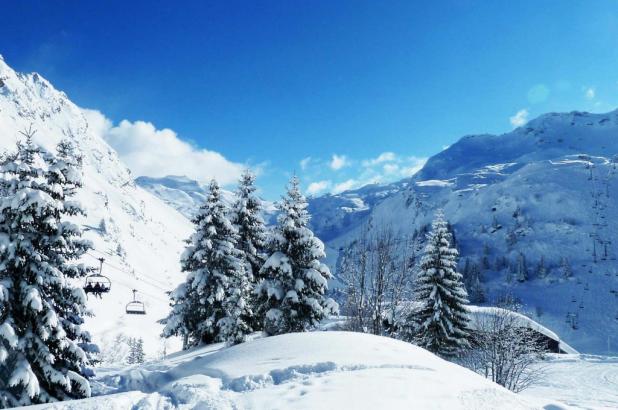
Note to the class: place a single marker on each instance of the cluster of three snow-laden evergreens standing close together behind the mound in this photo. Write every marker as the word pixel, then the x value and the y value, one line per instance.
pixel 244 277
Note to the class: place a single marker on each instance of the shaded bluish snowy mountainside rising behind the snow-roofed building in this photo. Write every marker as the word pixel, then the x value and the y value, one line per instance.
pixel 546 190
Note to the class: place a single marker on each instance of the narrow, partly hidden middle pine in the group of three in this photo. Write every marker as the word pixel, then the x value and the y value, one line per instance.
pixel 252 235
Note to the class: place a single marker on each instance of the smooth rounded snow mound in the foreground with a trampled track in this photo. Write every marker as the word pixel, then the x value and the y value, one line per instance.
pixel 320 370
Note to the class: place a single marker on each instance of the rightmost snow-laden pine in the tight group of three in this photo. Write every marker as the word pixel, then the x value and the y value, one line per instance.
pixel 295 281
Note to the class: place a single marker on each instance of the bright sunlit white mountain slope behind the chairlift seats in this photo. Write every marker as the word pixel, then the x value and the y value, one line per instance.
pixel 139 236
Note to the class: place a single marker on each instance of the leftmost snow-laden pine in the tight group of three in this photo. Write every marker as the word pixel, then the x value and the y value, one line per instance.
pixel 211 305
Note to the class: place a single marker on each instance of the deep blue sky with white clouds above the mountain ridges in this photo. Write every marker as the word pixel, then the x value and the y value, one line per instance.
pixel 366 90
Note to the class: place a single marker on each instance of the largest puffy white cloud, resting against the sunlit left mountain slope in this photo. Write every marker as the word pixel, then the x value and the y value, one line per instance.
pixel 154 152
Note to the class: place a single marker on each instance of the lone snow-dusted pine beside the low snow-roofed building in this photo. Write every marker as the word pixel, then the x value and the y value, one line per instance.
pixel 441 323
